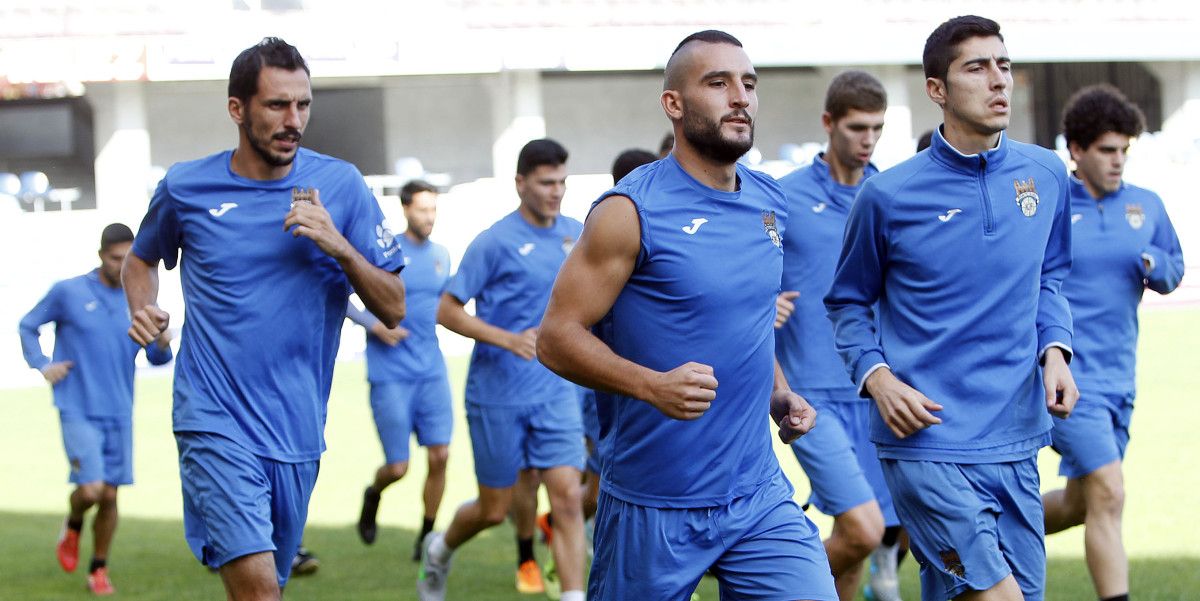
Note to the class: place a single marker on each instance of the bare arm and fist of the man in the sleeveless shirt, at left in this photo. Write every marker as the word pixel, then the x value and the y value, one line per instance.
pixel 586 290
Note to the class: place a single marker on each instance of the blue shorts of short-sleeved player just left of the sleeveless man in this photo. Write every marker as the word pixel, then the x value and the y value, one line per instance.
pixel 507 440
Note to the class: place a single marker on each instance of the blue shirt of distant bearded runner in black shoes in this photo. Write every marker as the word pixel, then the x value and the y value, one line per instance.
pixel 418 357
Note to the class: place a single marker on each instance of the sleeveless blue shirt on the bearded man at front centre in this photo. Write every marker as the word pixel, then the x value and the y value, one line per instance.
pixel 703 290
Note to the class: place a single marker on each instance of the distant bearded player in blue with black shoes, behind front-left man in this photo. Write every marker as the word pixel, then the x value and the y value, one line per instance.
pixel 410 388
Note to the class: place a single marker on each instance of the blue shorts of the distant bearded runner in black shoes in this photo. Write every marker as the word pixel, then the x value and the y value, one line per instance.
pixel 403 408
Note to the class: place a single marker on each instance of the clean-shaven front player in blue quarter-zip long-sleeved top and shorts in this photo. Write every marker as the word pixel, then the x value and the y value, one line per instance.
pixel 947 311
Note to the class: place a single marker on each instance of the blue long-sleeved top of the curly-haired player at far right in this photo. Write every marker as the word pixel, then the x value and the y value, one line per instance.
pixel 1111 238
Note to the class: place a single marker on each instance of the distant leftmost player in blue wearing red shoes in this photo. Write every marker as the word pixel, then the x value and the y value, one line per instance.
pixel 92 374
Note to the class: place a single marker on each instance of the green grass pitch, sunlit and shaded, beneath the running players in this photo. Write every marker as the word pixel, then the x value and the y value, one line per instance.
pixel 151 561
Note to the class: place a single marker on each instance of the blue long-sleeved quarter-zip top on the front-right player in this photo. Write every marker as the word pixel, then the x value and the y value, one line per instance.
pixel 965 256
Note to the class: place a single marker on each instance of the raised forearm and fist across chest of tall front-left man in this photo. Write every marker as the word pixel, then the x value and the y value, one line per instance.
pixel 382 292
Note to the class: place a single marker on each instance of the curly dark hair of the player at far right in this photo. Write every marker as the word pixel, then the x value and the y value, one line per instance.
pixel 1100 110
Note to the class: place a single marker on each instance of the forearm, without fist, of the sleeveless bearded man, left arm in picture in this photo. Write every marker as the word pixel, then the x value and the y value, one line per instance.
pixel 577 354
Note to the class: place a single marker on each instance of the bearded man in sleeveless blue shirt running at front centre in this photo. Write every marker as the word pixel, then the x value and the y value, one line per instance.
pixel 668 310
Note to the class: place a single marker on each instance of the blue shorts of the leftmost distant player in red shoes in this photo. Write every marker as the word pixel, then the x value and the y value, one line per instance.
pixel 99 449
